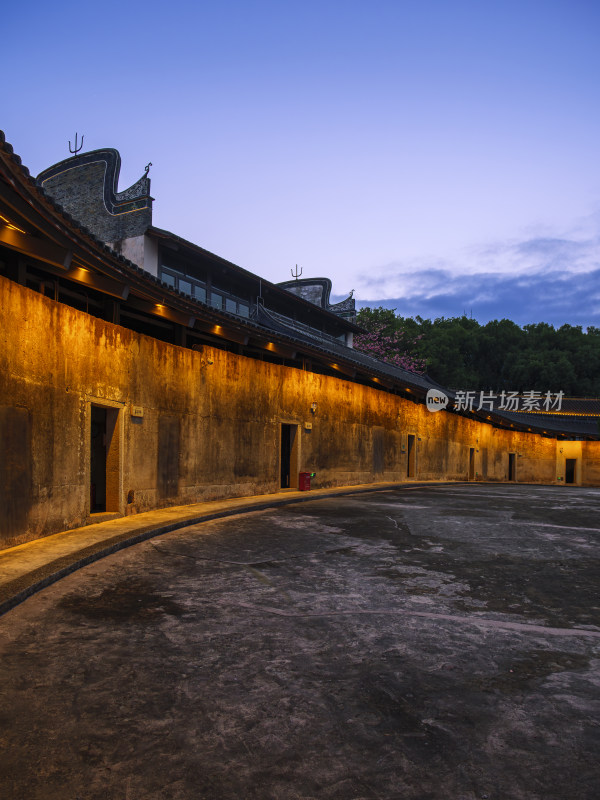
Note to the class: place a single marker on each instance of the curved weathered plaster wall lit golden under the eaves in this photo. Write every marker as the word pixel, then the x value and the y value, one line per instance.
pixel 212 430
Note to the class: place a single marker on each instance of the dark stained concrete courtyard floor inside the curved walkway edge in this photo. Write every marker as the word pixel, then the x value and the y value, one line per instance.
pixel 429 643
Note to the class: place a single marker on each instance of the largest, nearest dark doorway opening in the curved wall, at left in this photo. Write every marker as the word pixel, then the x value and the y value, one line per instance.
pixel 104 459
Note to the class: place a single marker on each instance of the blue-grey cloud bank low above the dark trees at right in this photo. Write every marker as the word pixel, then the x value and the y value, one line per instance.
pixel 541 278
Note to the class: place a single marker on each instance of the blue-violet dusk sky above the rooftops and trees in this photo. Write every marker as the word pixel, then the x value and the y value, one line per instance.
pixel 437 157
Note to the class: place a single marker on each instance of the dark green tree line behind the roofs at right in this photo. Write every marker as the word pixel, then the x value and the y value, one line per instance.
pixel 460 353
